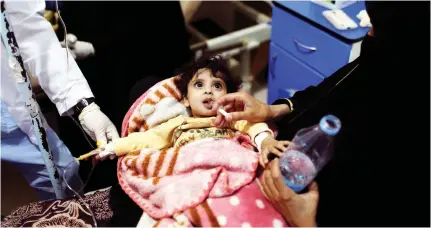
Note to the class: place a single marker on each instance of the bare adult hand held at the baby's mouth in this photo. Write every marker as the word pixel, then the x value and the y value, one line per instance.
pixel 241 106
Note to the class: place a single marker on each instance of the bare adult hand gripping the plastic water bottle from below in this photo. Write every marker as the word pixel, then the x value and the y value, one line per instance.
pixel 297 209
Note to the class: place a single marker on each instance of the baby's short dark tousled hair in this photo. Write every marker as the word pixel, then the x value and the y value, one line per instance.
pixel 218 67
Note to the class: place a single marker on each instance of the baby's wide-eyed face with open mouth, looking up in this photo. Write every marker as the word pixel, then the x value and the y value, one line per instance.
pixel 203 90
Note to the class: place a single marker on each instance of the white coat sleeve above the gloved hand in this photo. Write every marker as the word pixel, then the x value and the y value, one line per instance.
pixel 62 80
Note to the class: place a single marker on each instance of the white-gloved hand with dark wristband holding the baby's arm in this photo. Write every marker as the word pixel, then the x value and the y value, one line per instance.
pixel 97 125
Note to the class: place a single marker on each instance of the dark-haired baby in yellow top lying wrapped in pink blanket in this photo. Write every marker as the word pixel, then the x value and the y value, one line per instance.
pixel 200 85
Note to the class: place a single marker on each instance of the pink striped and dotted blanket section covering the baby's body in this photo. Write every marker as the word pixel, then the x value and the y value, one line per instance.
pixel 205 183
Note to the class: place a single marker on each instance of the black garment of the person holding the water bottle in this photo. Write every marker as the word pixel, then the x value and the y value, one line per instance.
pixel 379 174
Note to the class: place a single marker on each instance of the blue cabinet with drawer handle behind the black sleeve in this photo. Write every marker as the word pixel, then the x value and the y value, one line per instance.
pixel 305 48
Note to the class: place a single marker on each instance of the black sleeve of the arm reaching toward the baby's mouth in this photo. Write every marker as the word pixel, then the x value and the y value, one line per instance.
pixel 303 99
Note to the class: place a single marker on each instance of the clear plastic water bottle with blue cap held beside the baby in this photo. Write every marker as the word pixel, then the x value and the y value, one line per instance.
pixel 309 151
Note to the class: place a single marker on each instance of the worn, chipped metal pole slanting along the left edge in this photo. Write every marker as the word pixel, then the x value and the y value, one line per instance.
pixel 24 86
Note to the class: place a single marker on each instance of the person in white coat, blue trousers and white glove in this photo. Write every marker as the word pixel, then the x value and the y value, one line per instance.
pixel 64 84
